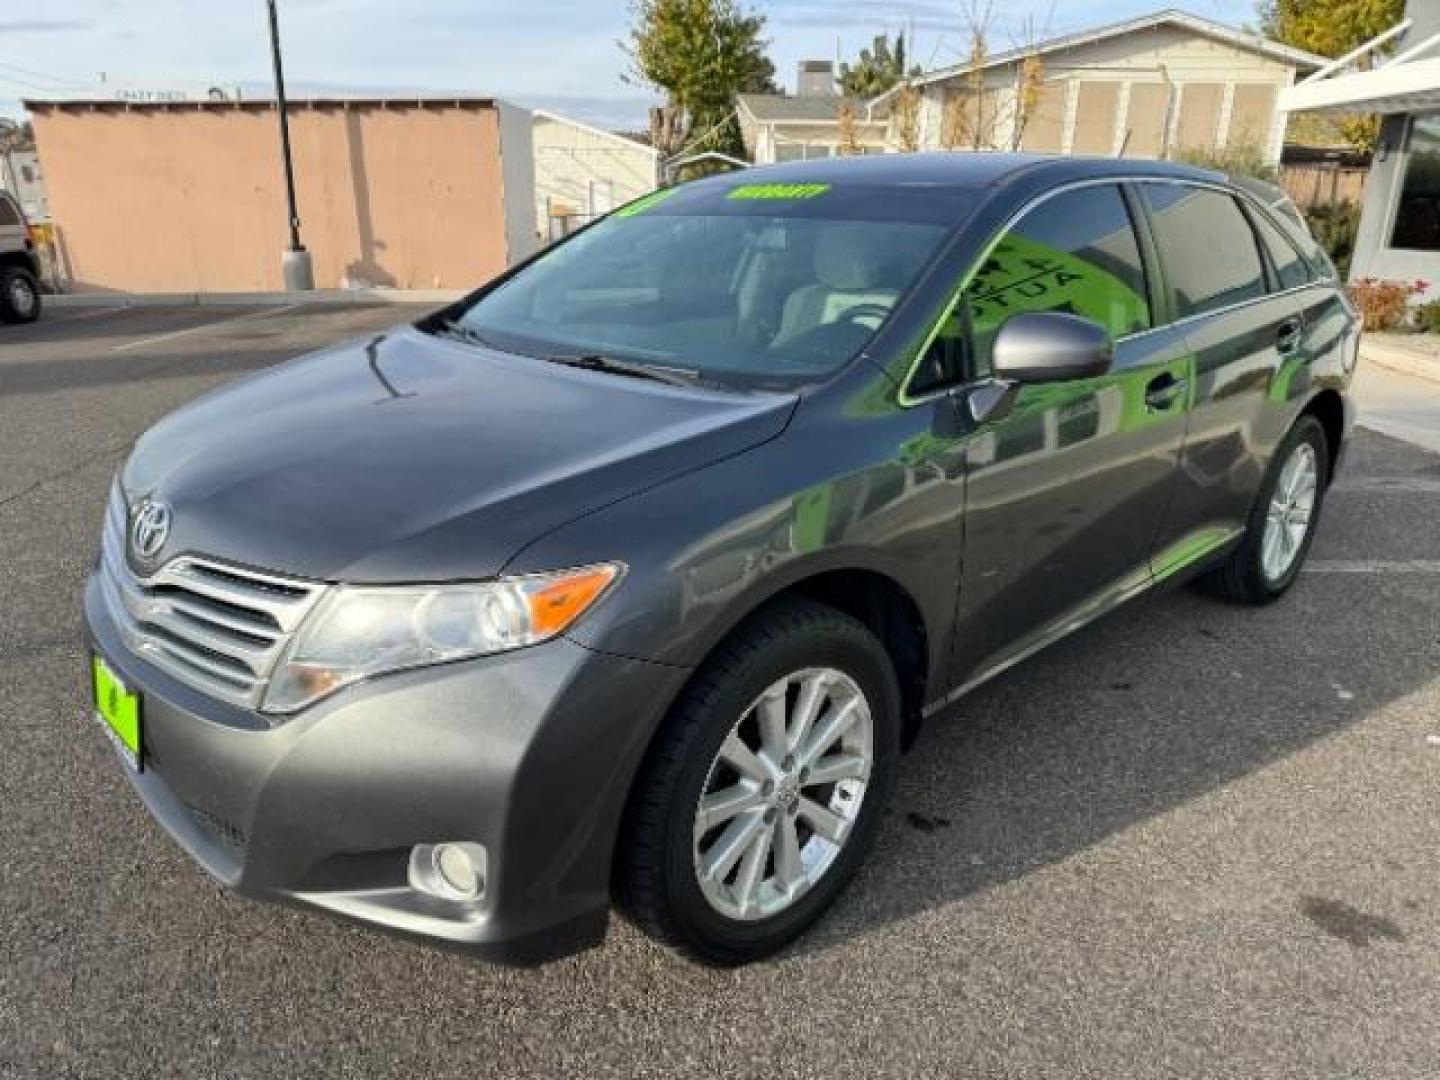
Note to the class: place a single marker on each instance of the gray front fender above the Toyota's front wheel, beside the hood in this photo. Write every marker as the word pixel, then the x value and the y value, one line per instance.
pixel 708 549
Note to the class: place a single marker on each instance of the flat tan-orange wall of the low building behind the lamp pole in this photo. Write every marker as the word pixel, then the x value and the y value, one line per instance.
pixel 161 201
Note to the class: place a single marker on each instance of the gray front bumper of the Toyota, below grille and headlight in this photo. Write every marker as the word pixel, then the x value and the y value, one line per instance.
pixel 531 754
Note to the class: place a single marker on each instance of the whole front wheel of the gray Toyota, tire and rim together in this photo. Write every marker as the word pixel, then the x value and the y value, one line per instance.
pixel 764 791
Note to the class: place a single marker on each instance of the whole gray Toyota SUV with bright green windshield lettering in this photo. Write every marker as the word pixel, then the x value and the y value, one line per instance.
pixel 633 574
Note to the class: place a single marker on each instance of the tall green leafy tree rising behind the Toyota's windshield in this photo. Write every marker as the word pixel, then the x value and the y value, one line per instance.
pixel 702 54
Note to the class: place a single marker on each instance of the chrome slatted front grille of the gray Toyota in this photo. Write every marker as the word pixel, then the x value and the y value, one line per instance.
pixel 215 627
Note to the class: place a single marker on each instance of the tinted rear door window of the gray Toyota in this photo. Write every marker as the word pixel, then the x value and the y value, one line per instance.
pixel 1207 247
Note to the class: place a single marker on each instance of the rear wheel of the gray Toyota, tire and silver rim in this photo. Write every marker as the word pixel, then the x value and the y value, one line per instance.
pixel 1282 523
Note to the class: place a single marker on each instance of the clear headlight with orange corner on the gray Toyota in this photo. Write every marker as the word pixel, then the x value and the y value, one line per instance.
pixel 358 633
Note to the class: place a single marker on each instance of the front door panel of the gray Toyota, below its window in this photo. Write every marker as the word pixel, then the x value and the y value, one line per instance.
pixel 1063 503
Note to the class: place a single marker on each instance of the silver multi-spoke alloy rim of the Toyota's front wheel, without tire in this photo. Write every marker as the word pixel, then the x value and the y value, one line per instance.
pixel 784 794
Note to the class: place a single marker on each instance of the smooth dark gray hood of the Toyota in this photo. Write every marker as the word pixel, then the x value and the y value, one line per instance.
pixel 417 459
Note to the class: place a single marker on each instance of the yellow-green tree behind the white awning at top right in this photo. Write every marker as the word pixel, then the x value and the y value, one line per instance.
pixel 1331 28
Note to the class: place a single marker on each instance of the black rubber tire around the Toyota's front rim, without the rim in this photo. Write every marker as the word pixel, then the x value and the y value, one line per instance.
pixel 656 881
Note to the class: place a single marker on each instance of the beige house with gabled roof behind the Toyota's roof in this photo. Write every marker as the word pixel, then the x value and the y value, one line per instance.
pixel 1148 87
